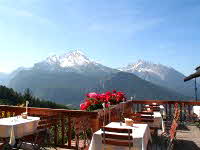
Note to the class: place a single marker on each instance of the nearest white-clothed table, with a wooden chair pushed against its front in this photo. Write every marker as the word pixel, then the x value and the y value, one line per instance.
pixel 141 136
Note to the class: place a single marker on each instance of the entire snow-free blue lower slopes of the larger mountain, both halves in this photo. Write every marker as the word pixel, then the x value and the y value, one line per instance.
pixel 70 88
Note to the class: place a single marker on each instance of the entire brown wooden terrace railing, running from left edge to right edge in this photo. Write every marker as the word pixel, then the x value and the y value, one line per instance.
pixel 65 118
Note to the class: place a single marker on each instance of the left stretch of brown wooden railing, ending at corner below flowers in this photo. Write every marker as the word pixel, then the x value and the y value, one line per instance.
pixel 62 127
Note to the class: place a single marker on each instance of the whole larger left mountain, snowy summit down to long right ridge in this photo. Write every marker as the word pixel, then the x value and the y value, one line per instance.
pixel 67 78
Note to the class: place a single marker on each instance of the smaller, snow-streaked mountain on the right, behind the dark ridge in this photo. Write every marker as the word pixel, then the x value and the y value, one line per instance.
pixel 161 75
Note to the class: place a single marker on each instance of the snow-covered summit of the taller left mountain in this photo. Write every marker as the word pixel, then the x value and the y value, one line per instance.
pixel 73 61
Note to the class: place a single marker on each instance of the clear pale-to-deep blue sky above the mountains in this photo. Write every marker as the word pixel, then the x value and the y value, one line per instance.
pixel 113 32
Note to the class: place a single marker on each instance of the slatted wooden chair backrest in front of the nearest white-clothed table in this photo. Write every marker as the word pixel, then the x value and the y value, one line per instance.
pixel 110 137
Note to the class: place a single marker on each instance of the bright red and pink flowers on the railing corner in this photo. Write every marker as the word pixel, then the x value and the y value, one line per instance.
pixel 94 101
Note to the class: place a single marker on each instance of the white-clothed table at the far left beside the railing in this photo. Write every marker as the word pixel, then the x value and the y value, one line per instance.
pixel 17 127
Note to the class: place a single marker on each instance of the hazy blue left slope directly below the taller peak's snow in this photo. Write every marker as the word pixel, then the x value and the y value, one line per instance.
pixel 61 87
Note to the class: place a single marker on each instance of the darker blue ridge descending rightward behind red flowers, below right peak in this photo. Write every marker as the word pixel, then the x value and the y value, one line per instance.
pixel 141 89
